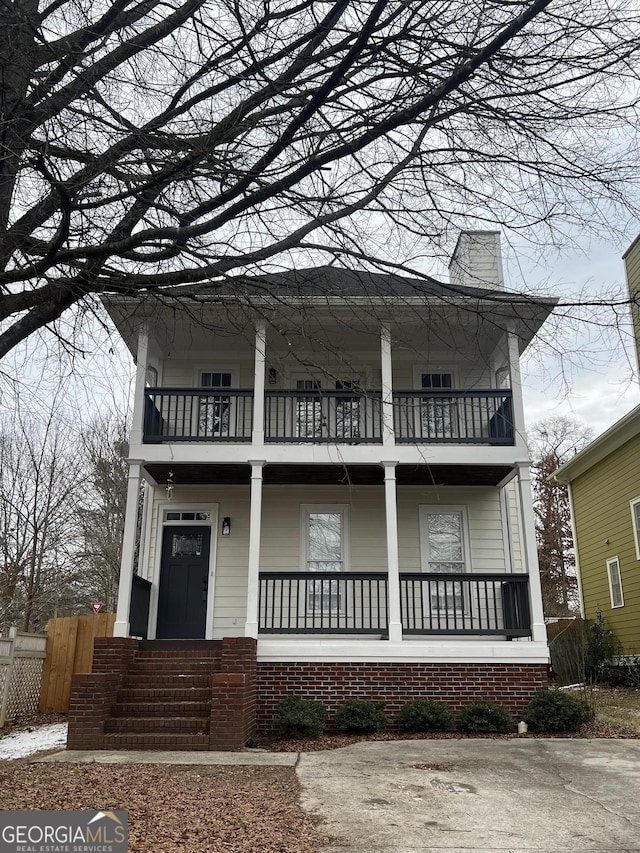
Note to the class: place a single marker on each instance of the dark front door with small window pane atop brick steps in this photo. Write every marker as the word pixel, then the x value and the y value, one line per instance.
pixel 184 574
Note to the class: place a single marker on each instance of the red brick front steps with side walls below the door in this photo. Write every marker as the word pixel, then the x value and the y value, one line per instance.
pixel 165 694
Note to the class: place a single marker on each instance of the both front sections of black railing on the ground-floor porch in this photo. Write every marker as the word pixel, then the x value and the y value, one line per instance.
pixel 356 603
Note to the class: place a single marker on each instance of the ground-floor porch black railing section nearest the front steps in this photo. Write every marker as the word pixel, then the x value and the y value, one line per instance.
pixel 322 603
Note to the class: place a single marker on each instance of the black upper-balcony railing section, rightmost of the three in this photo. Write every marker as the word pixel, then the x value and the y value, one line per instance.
pixel 484 417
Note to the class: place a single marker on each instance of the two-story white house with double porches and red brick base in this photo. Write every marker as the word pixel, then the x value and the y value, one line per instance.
pixel 336 503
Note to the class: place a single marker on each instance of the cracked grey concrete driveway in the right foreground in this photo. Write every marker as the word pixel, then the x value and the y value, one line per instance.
pixel 477 795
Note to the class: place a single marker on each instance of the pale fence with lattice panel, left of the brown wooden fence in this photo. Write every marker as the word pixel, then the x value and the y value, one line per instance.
pixel 21 657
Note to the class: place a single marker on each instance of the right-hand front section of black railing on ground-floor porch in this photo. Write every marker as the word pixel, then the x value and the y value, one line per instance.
pixel 465 604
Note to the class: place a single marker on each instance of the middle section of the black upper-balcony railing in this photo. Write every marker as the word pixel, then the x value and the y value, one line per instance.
pixel 319 416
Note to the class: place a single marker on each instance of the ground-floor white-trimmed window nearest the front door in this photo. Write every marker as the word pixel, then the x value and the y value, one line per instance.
pixel 324 549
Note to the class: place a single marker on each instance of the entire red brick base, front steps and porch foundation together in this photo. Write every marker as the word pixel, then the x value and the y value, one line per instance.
pixel 215 696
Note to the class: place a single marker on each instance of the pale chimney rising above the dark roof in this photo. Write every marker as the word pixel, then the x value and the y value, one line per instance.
pixel 477 260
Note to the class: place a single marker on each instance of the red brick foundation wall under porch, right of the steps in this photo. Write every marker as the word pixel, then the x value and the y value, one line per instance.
pixel 397 683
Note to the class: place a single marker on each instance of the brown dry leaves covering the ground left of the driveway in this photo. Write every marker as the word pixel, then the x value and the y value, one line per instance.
pixel 175 809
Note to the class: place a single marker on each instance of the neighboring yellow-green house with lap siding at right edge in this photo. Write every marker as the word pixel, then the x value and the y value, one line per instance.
pixel 604 490
